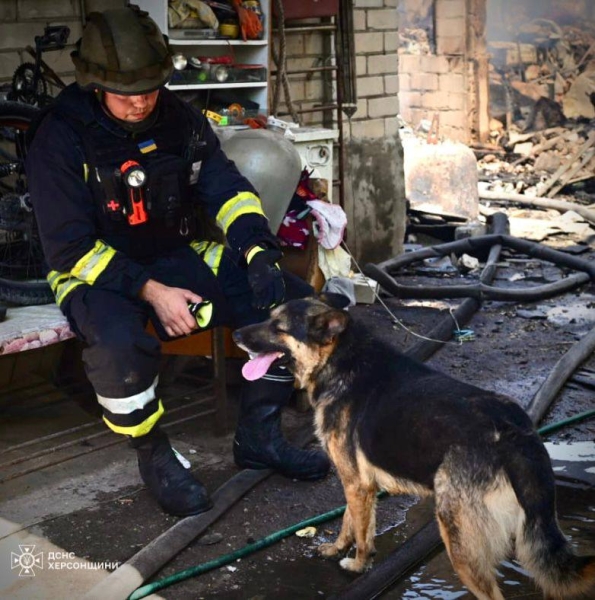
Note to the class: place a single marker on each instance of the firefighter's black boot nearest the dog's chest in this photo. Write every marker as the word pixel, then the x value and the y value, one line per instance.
pixel 259 443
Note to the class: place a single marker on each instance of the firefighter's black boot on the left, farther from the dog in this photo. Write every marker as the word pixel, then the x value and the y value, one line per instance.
pixel 175 489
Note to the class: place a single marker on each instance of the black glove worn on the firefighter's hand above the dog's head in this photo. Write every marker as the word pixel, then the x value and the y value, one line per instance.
pixel 265 278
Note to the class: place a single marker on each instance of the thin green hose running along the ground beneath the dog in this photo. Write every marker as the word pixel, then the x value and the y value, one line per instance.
pixel 146 590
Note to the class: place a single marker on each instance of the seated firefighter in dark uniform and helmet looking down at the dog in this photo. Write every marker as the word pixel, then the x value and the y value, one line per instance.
pixel 116 171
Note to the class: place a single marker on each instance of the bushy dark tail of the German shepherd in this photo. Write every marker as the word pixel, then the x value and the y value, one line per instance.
pixel 541 547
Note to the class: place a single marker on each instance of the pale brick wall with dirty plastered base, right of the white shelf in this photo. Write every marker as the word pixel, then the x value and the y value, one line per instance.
pixel 373 175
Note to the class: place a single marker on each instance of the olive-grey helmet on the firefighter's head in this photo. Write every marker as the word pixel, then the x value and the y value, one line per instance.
pixel 122 51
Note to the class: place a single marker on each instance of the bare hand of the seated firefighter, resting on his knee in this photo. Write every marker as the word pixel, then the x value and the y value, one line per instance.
pixel 171 306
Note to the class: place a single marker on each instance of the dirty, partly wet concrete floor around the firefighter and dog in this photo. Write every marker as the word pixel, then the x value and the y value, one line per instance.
pixel 70 493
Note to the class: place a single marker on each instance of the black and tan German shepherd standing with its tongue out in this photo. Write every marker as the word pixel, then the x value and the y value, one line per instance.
pixel 392 423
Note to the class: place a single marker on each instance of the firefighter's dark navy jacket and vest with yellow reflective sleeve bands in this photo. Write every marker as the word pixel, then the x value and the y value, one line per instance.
pixel 83 207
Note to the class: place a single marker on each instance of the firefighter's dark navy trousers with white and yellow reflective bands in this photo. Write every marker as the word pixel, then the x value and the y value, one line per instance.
pixel 122 359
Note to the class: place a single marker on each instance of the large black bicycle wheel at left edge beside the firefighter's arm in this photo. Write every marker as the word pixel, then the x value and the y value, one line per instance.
pixel 22 268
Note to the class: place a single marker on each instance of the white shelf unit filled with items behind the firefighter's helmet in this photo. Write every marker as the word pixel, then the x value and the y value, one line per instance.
pixel 242 73
